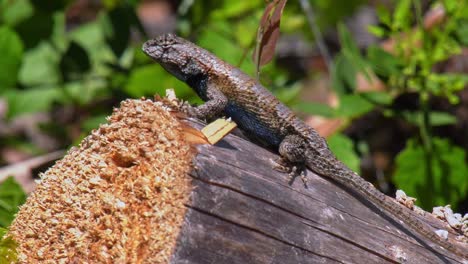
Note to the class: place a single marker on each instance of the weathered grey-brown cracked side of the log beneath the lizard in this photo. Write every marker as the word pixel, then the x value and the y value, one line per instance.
pixel 242 211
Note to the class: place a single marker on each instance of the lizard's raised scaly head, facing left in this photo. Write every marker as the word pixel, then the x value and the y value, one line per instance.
pixel 172 52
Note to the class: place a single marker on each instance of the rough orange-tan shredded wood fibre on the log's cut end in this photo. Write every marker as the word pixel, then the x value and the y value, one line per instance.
pixel 117 198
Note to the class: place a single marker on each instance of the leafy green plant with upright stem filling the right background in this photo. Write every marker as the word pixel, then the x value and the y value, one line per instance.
pixel 430 168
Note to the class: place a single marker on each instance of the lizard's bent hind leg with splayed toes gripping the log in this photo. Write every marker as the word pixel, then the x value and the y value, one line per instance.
pixel 292 150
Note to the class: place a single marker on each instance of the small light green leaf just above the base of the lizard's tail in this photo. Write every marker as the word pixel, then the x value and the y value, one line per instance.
pixel 343 148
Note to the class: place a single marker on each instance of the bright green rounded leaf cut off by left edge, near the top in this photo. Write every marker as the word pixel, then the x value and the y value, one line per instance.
pixel 11 49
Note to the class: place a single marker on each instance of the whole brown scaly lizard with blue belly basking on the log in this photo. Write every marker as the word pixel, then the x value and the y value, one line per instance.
pixel 226 89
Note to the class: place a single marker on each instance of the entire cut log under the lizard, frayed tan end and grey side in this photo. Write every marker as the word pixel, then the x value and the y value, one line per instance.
pixel 136 191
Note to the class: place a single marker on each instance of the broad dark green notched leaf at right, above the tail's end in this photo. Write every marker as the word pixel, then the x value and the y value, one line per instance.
pixel 449 184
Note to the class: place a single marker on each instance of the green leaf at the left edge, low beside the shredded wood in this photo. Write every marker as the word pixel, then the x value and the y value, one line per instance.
pixel 11 197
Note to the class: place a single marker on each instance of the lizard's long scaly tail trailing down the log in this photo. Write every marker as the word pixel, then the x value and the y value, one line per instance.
pixel 337 171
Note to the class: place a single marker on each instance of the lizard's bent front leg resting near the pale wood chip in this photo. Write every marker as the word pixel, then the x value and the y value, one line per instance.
pixel 214 105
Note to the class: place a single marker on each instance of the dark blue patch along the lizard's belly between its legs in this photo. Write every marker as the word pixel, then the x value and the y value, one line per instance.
pixel 254 127
